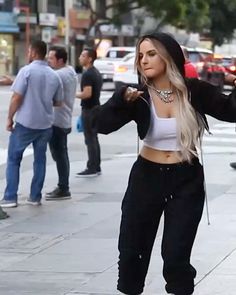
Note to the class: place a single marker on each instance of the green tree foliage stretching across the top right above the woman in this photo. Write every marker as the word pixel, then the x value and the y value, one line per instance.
pixel 214 18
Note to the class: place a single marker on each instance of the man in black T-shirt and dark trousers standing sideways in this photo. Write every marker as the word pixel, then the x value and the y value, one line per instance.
pixel 91 84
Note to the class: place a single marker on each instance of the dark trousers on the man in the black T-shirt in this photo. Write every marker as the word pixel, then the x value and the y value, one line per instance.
pixel 91 141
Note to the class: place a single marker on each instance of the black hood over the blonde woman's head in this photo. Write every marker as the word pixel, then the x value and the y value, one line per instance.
pixel 172 47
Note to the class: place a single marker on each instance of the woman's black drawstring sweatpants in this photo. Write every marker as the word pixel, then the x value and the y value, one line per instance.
pixel 178 191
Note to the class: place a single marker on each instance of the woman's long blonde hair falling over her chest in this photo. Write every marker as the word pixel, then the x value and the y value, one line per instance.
pixel 190 128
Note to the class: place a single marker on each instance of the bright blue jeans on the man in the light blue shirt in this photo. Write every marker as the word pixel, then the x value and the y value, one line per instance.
pixel 20 138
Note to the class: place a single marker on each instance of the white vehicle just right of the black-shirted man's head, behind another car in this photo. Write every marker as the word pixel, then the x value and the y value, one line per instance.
pixel 107 64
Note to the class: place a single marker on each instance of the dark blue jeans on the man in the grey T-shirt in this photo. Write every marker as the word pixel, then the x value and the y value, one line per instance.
pixel 59 151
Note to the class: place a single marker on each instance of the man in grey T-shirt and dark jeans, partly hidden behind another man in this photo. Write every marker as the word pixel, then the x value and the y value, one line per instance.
pixel 57 59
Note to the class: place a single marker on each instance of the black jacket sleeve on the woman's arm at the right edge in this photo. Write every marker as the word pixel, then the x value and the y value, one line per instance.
pixel 209 100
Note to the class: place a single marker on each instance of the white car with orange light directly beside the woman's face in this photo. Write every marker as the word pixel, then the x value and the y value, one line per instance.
pixel 125 71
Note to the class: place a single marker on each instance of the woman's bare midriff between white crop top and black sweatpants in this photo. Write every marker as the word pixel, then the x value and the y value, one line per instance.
pixel 158 156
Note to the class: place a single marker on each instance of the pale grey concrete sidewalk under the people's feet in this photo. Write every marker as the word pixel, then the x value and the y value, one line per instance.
pixel 70 247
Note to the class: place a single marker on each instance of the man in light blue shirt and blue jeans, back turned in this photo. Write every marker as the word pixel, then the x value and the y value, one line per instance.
pixel 35 90
